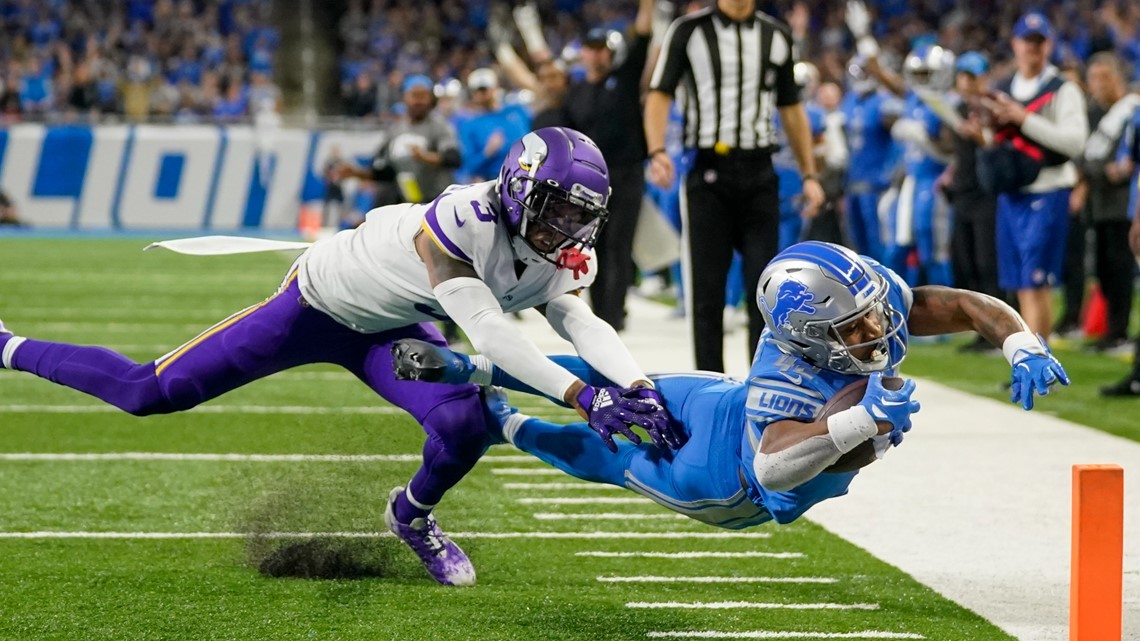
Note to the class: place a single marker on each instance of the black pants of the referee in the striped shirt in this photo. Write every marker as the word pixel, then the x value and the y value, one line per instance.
pixel 732 202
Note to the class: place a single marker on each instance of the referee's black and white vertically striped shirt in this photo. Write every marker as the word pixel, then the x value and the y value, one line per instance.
pixel 734 76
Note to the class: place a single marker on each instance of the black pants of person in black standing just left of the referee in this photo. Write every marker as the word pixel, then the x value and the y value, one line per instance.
pixel 616 245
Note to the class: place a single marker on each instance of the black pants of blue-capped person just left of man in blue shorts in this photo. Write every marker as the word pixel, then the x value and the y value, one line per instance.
pixel 974 249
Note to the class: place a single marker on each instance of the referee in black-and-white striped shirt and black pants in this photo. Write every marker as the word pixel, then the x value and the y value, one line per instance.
pixel 735 66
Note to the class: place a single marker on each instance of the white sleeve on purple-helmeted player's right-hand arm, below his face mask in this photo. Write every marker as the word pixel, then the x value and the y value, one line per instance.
pixel 595 339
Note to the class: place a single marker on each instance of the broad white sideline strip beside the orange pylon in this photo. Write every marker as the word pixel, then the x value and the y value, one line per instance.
pixel 975 505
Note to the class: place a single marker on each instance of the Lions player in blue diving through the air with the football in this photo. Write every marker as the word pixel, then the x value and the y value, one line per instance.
pixel 760 451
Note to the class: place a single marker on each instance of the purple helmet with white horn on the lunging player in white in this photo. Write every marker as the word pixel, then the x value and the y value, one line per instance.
pixel 555 178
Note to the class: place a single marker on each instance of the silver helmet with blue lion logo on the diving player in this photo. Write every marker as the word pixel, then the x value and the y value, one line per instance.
pixel 811 295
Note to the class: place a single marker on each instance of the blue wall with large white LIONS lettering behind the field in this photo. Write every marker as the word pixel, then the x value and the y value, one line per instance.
pixel 168 177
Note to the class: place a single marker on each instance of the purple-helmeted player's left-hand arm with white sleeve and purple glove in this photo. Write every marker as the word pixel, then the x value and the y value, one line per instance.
pixel 473 305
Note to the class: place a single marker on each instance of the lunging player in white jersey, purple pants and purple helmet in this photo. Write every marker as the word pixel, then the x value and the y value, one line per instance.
pixel 473 255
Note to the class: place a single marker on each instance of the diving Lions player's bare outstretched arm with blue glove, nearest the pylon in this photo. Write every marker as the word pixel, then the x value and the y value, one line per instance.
pixel 946 311
